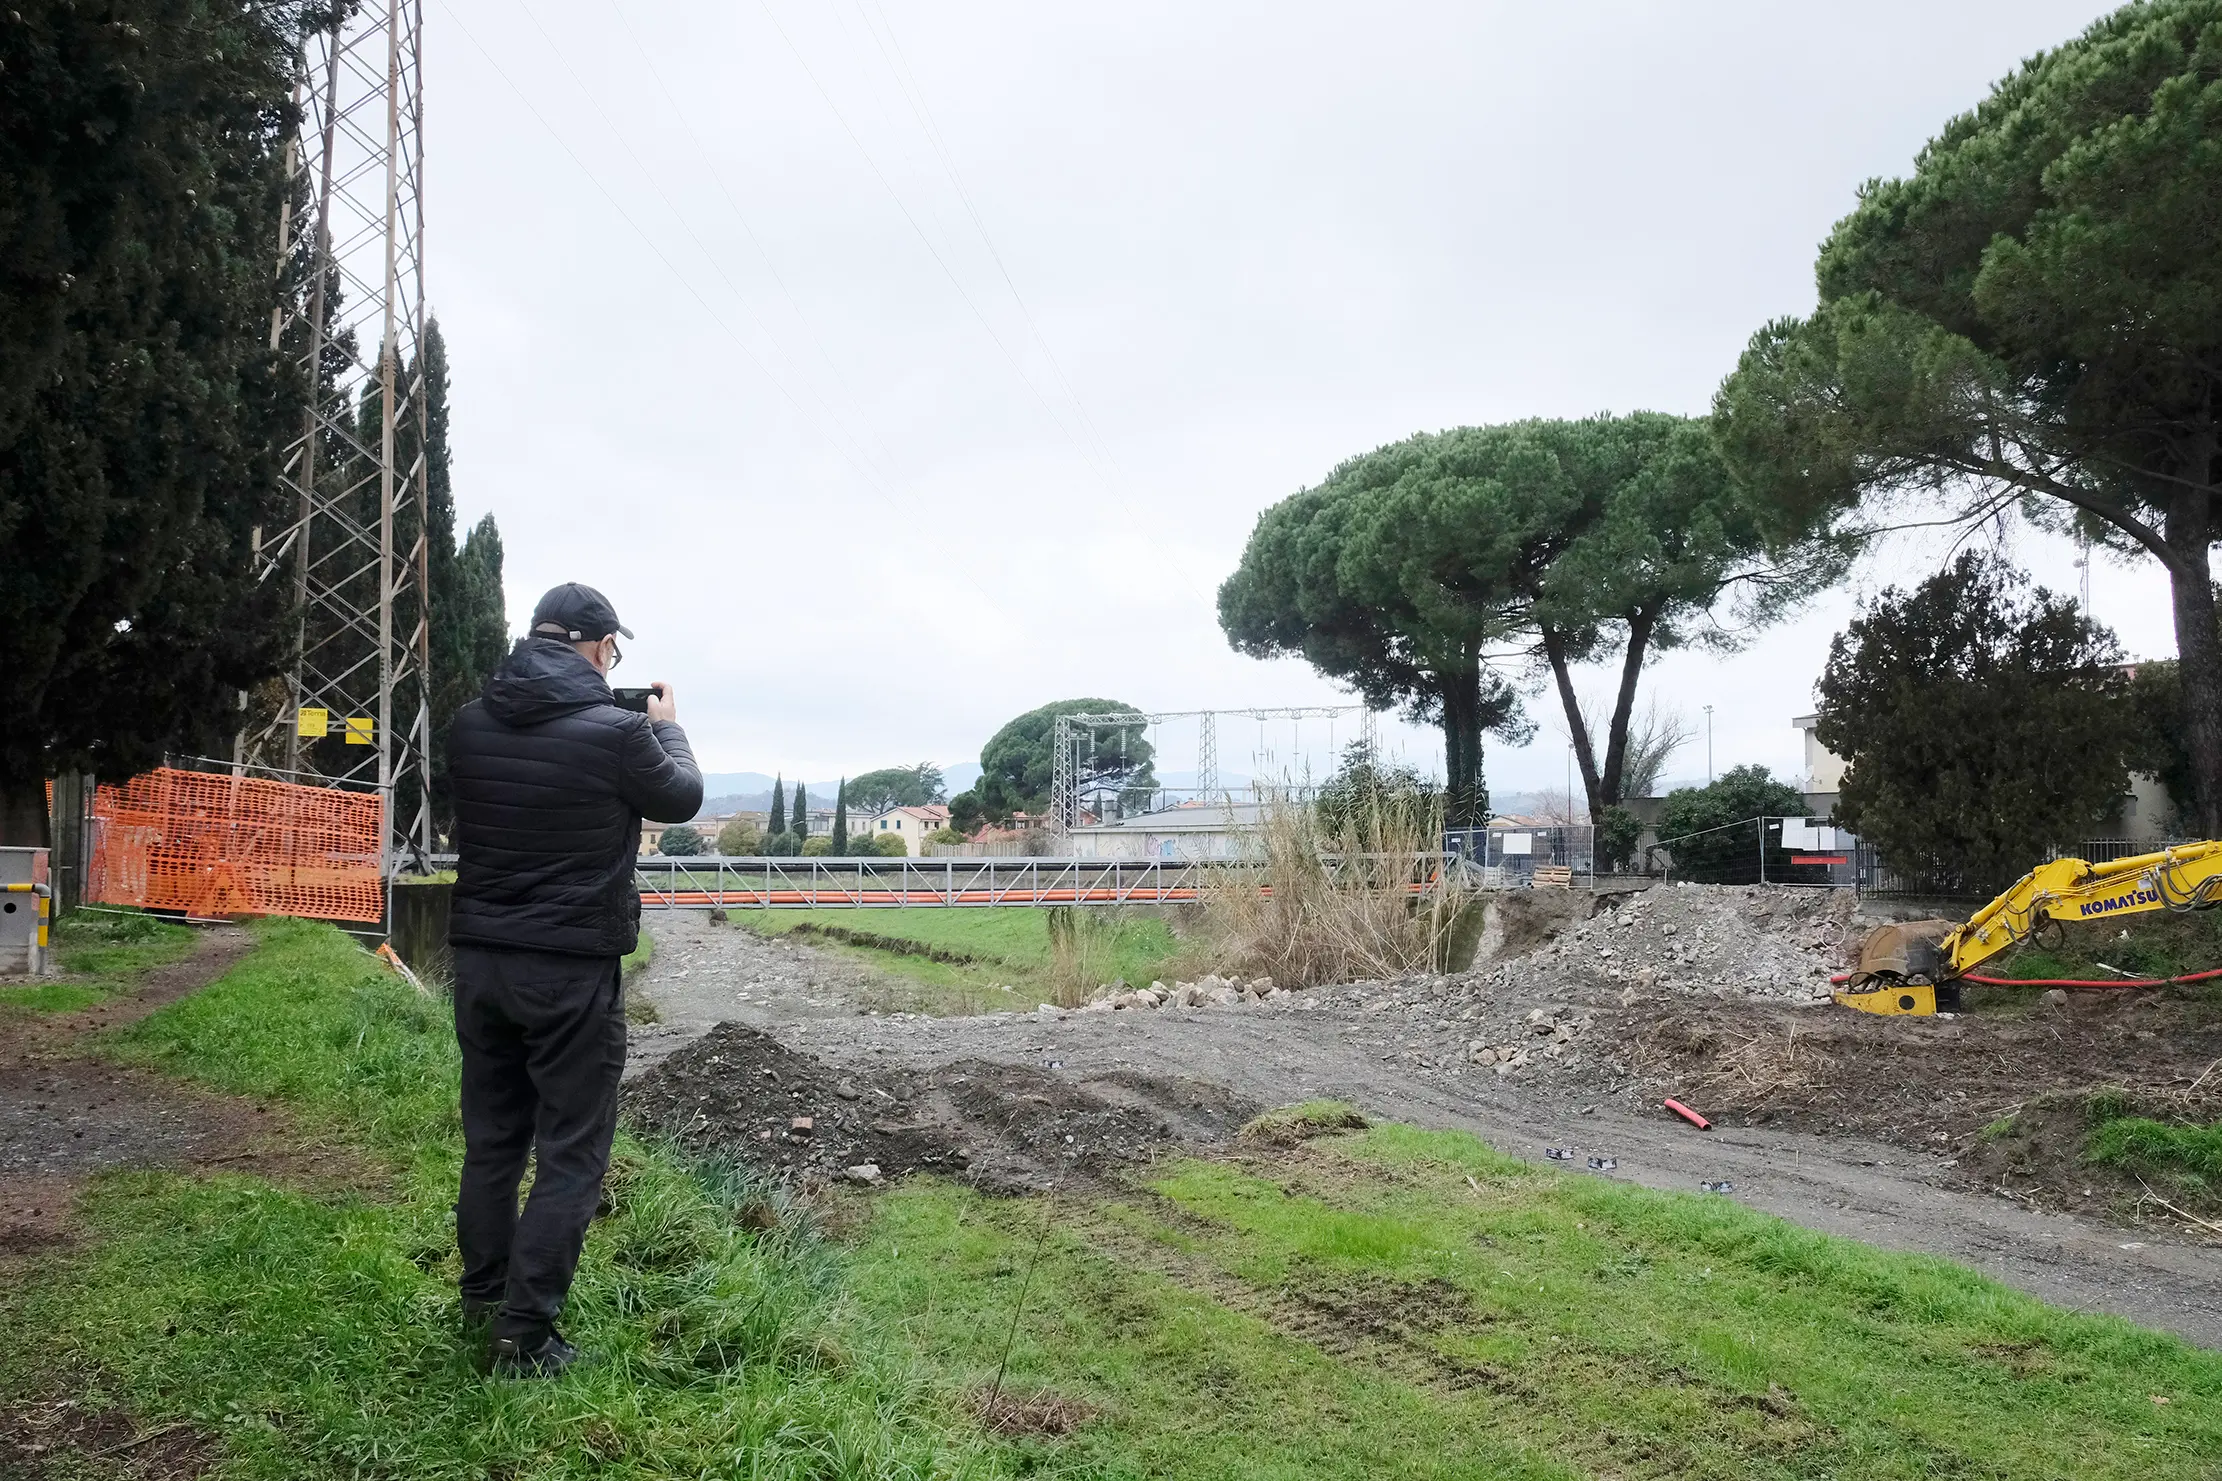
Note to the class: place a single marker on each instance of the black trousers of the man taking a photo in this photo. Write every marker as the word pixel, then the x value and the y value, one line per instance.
pixel 543 1047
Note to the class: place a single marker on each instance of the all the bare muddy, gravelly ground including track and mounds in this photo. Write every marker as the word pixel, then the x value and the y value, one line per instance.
pixel 1823 1116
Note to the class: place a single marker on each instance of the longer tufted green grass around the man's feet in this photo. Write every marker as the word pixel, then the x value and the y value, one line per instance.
pixel 317 1336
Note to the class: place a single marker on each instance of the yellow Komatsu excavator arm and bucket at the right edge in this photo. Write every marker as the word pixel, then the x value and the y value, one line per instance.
pixel 1919 967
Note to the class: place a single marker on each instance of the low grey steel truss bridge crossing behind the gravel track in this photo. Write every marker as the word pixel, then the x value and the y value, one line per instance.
pixel 892 885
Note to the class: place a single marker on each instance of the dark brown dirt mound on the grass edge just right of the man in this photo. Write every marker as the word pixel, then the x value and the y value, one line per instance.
pixel 1001 1127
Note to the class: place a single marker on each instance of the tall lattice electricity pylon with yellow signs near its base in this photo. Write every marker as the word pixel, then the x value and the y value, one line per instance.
pixel 357 707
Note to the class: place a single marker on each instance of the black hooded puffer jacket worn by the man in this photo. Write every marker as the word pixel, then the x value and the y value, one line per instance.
pixel 552 783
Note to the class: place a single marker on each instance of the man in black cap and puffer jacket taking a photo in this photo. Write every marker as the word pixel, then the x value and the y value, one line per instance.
pixel 552 780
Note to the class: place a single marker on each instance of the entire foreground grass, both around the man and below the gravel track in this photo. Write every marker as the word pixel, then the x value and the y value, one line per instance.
pixel 1365 1304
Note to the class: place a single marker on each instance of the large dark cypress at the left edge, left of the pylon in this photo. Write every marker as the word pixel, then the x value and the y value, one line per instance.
pixel 143 412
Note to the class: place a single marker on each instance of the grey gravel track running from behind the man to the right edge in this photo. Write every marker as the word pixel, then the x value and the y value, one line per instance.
pixel 1839 1185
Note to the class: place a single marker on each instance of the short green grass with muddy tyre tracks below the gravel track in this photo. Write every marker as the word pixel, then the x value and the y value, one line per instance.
pixel 1365 1311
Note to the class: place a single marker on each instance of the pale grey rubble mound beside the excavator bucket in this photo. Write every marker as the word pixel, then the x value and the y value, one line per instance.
pixel 1703 938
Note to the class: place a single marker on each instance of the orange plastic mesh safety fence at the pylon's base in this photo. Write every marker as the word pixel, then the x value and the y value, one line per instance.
pixel 221 845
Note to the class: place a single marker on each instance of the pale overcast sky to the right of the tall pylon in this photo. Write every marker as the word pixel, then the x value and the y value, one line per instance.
pixel 899 367
